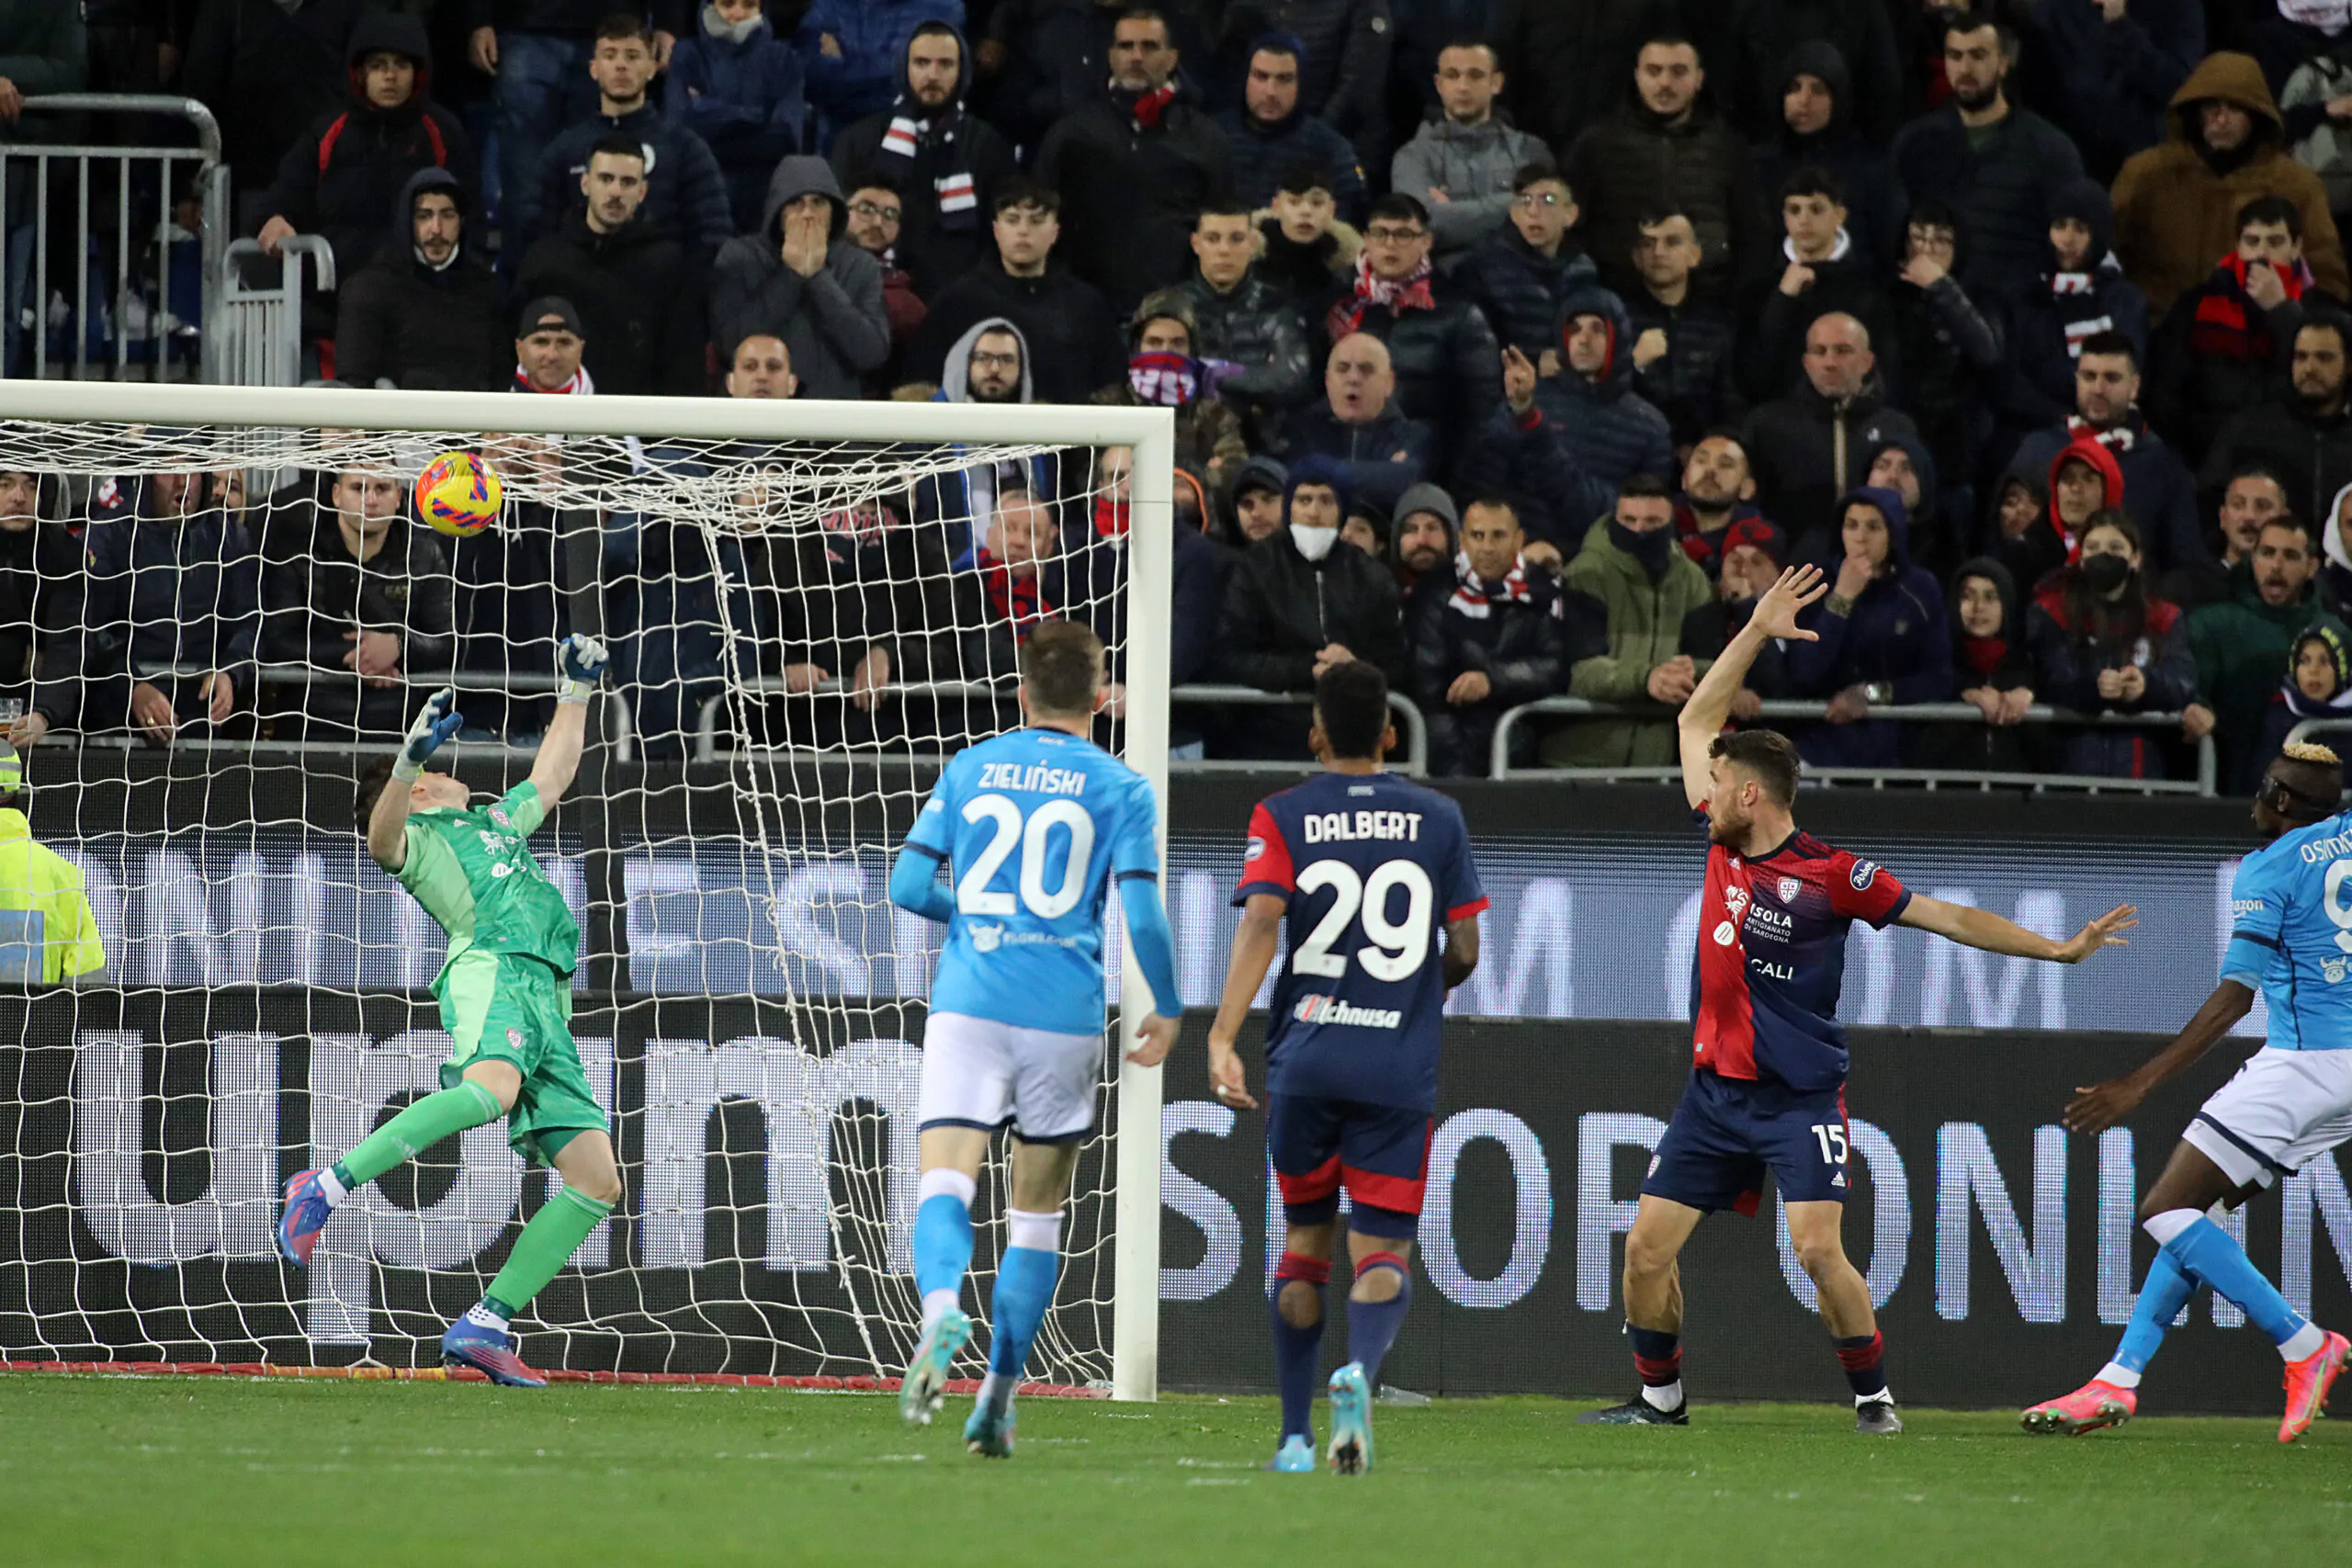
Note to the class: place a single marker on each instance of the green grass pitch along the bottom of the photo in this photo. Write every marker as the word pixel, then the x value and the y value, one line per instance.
pixel 208 1470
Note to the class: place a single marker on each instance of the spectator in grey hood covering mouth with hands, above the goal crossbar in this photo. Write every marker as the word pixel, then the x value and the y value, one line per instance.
pixel 801 279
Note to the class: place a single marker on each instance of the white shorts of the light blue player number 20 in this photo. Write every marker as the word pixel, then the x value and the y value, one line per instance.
pixel 982 1073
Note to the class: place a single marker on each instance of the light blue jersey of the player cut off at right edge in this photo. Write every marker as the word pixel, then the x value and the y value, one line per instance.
pixel 2292 934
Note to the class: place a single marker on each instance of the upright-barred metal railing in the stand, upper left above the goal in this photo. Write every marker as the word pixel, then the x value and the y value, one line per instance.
pixel 213 243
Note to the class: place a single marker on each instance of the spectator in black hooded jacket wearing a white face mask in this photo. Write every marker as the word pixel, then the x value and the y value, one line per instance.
pixel 1302 603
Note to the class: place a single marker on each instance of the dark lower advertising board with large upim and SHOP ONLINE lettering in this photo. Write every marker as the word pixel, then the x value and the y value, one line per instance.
pixel 152 1132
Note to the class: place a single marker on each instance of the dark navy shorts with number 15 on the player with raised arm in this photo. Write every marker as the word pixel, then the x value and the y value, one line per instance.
pixel 1730 1132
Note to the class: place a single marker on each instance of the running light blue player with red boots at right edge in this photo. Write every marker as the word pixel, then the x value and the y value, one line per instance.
pixel 2290 939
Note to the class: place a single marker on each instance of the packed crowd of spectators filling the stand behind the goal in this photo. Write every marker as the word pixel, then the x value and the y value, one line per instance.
pixel 1514 347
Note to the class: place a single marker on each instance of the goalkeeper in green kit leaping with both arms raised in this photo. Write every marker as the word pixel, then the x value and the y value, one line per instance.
pixel 505 998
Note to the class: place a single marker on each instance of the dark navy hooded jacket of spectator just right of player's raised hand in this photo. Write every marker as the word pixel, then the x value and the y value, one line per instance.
pixel 1892 636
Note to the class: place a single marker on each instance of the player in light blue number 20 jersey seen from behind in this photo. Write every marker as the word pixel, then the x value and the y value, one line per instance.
pixel 1031 826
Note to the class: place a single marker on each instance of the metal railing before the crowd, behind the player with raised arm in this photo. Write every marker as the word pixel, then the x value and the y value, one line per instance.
pixel 1911 713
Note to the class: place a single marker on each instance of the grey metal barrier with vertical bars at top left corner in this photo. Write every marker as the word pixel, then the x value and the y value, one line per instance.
pixel 102 328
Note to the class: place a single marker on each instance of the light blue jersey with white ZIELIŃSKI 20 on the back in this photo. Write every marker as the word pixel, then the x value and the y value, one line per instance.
pixel 1034 826
